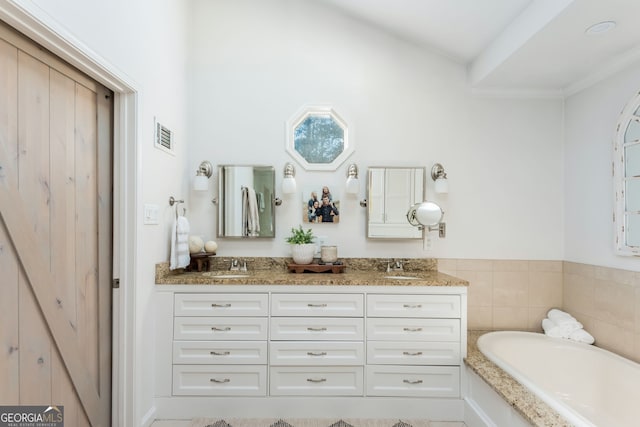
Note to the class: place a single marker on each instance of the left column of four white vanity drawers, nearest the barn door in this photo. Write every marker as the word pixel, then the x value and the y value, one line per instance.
pixel 220 344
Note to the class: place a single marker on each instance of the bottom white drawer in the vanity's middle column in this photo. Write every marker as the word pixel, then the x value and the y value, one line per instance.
pixel 316 381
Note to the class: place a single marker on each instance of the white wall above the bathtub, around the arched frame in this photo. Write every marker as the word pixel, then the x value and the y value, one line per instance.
pixel 591 117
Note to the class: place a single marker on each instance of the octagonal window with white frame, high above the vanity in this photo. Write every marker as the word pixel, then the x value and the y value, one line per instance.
pixel 318 138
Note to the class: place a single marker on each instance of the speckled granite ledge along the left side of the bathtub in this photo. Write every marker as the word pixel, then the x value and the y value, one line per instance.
pixel 533 409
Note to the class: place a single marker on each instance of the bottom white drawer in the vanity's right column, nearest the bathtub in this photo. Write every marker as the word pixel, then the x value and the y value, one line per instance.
pixel 413 381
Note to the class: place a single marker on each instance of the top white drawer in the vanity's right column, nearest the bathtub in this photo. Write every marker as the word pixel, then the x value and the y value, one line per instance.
pixel 439 306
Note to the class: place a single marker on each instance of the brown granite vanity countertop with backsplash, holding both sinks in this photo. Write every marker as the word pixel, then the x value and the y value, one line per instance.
pixel 274 271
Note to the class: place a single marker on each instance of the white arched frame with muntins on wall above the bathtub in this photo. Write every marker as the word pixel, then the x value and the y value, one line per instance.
pixel 629 114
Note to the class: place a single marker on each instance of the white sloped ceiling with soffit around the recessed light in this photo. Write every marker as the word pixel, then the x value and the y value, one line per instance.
pixel 534 47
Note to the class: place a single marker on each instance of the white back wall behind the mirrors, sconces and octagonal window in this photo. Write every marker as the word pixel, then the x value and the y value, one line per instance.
pixel 254 64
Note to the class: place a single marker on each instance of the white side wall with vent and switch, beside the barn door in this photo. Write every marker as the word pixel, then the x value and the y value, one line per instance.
pixel 144 40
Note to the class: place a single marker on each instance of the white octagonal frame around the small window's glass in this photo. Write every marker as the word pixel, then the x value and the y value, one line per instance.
pixel 323 111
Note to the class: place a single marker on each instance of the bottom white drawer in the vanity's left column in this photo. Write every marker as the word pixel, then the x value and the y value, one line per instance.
pixel 219 380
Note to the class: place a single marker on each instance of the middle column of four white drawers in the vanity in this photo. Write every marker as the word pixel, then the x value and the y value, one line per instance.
pixel 317 344
